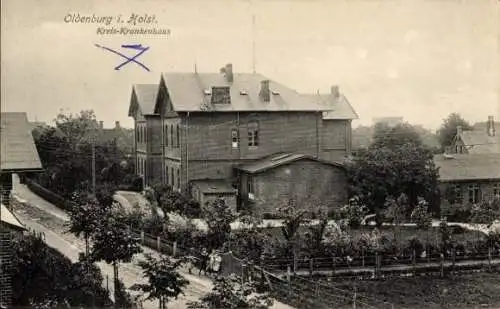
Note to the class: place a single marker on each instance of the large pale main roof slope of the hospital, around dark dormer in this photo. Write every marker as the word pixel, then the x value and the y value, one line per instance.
pixel 187 93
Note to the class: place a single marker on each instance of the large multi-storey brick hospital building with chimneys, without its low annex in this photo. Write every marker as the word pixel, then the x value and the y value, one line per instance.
pixel 193 130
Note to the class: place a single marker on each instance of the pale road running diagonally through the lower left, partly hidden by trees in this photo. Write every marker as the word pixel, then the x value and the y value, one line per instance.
pixel 51 220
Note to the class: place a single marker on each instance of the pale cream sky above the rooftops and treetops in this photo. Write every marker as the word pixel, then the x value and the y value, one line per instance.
pixel 416 59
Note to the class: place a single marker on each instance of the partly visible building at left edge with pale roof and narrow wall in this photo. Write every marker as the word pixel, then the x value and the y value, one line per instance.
pixel 19 155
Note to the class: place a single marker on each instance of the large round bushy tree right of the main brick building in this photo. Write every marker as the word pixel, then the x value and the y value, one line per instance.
pixel 392 165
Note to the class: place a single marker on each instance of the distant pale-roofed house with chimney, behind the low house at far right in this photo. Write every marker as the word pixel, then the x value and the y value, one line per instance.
pixel 482 139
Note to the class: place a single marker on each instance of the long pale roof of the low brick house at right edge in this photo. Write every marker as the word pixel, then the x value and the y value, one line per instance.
pixel 468 167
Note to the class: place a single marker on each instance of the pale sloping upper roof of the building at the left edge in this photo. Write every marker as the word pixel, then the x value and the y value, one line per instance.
pixel 17 147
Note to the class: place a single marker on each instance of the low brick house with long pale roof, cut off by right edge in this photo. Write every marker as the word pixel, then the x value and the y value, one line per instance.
pixel 468 178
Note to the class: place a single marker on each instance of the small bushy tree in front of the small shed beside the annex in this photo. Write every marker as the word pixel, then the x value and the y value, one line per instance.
pixel 219 218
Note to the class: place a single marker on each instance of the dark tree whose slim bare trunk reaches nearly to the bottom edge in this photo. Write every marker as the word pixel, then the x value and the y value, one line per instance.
pixel 114 244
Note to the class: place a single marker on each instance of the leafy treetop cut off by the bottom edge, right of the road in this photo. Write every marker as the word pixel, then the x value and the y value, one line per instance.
pixel 231 293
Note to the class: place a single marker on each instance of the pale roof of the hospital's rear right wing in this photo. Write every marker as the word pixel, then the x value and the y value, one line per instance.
pixel 340 108
